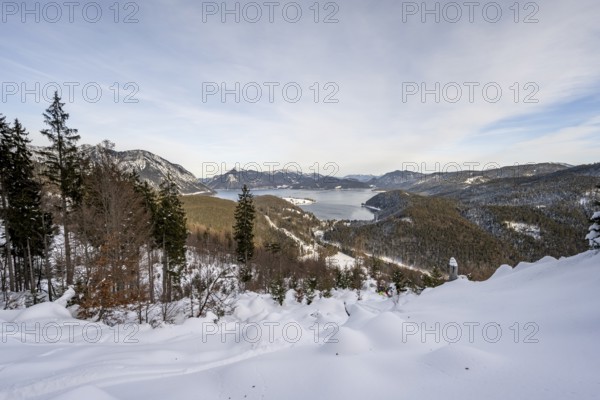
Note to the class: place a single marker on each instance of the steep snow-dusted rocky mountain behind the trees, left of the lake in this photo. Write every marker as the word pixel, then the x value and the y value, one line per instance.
pixel 149 166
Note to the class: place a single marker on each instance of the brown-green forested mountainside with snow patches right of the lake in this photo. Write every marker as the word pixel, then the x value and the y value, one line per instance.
pixel 504 216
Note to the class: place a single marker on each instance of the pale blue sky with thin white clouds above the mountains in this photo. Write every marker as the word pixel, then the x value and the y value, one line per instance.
pixel 333 87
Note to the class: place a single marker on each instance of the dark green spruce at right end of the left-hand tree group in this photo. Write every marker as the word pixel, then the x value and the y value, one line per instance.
pixel 170 233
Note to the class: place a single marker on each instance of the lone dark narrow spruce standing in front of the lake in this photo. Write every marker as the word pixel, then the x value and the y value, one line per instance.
pixel 243 232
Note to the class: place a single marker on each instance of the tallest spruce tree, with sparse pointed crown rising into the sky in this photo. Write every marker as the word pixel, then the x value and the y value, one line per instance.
pixel 62 162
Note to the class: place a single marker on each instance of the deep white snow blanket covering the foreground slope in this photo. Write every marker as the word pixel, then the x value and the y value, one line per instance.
pixel 529 332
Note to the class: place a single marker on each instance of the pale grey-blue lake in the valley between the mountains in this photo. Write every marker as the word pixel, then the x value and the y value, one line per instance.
pixel 330 204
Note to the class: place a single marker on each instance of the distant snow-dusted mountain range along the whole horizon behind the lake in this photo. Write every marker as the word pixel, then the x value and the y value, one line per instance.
pixel 504 185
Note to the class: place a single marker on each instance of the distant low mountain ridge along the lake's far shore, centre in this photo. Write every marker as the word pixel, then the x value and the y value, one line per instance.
pixel 235 179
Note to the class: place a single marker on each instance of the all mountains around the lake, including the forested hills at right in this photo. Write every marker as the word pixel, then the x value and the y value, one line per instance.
pixel 483 218
